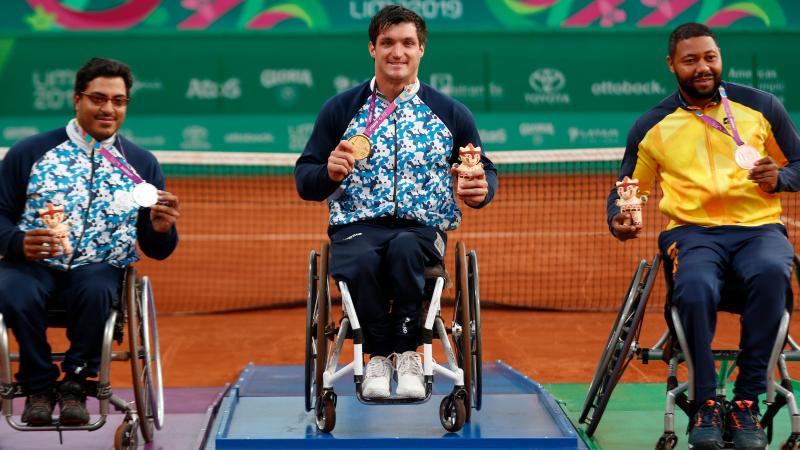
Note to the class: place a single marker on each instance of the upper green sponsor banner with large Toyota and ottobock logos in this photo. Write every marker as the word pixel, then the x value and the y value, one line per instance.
pixel 236 75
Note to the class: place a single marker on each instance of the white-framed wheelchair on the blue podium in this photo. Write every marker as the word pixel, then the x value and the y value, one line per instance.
pixel 324 341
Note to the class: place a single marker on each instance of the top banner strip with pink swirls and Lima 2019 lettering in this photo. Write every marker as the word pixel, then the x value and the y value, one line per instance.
pixel 154 16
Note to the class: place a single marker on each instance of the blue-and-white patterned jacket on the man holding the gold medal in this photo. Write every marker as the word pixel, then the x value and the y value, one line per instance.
pixel 407 175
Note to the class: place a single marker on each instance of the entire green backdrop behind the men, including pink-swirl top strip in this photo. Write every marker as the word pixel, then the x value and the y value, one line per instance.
pixel 250 75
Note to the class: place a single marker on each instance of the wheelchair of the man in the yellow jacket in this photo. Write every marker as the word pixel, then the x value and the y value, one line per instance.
pixel 623 346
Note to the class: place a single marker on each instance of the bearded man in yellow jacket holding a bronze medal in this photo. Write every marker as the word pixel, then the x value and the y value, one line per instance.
pixel 720 192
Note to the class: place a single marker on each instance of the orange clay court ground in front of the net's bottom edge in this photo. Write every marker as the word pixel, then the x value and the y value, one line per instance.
pixel 549 347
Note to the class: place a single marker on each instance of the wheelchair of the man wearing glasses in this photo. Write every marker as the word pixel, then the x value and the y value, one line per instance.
pixel 134 311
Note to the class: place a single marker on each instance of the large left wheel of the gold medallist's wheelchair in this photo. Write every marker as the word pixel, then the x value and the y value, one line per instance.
pixel 321 322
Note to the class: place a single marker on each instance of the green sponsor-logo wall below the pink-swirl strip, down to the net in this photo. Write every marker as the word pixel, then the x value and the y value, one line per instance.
pixel 255 92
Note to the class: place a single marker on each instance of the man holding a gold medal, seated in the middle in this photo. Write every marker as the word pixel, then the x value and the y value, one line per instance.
pixel 392 200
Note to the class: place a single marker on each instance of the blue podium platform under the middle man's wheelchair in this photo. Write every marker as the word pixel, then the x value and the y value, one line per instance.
pixel 265 409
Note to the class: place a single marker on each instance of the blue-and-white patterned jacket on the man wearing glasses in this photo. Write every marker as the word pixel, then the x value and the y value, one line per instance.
pixel 56 167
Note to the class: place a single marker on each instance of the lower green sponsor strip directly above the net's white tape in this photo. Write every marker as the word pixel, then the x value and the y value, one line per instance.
pixel 290 133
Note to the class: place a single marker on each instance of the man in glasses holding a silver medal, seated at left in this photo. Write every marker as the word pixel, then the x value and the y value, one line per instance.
pixel 74 202
